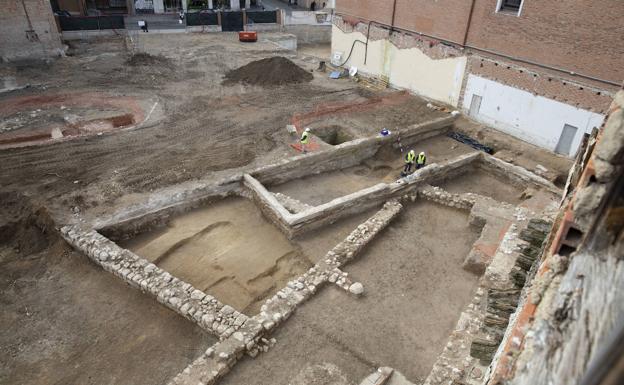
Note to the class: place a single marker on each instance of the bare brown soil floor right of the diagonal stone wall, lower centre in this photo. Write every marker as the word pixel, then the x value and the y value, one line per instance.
pixel 407 272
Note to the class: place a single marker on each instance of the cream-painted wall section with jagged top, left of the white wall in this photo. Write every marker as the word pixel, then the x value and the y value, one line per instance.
pixel 410 69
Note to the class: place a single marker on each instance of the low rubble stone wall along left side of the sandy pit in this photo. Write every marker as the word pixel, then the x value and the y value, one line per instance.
pixel 181 297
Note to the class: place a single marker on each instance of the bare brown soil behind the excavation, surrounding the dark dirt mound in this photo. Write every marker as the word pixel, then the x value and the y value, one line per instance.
pixel 207 130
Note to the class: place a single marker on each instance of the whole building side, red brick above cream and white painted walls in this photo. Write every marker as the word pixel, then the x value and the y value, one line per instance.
pixel 542 71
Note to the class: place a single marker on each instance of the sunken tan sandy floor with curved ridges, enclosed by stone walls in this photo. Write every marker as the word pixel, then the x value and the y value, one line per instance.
pixel 226 248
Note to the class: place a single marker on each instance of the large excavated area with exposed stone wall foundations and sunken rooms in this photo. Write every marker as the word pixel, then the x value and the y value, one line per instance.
pixel 237 257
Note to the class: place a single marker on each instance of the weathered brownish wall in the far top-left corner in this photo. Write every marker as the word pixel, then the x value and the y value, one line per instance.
pixel 16 43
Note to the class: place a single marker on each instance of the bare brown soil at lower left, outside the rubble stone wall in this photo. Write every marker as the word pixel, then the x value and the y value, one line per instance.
pixel 66 321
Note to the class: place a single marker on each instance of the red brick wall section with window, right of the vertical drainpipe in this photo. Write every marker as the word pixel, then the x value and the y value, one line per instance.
pixel 580 36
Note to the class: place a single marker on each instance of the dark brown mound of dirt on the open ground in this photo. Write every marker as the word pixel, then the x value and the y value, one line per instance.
pixel 273 71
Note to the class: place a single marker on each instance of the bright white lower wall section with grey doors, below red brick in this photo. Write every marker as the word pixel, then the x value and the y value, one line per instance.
pixel 532 118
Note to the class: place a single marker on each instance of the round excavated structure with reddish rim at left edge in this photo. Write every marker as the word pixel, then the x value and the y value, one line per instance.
pixel 39 119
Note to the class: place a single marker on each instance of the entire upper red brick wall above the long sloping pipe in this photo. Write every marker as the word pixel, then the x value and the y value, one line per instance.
pixel 584 36
